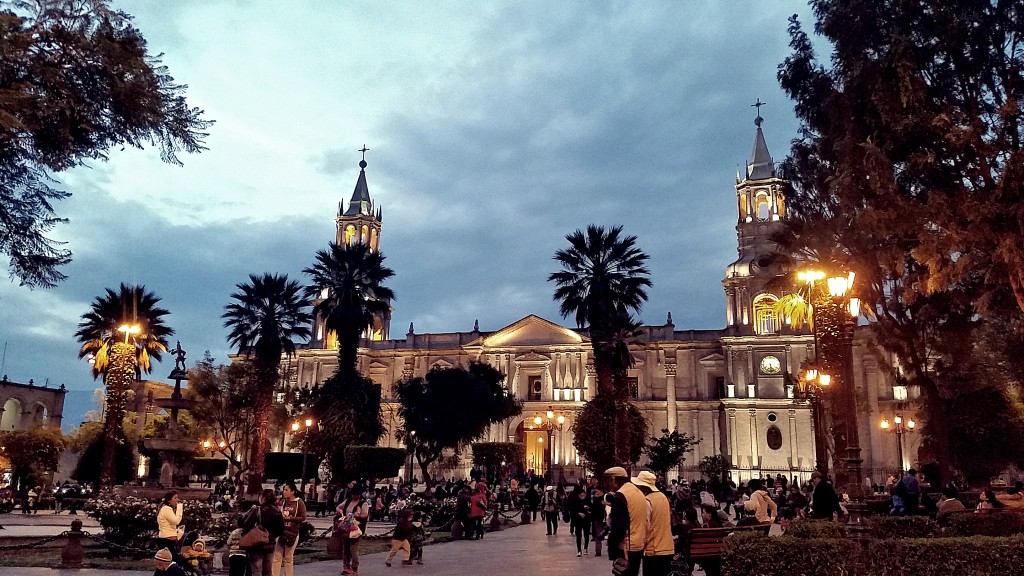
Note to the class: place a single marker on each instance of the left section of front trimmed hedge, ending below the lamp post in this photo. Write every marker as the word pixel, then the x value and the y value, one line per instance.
pixel 757 555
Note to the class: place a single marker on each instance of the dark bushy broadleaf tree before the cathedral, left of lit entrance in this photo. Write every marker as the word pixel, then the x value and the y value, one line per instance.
pixel 450 408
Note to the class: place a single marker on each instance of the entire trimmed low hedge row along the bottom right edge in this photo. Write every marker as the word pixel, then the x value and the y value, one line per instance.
pixel 756 555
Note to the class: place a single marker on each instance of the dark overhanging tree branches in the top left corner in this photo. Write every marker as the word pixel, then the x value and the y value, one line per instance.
pixel 76 79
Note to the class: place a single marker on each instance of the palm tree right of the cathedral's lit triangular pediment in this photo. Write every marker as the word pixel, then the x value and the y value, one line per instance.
pixel 604 280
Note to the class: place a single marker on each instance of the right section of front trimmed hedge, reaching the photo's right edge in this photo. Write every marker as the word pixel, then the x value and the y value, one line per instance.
pixel 979 556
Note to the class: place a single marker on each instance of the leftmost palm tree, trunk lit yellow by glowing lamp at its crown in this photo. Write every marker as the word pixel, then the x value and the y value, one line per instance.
pixel 132 312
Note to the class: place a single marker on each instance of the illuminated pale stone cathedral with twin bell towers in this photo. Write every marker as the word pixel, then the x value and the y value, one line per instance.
pixel 727 388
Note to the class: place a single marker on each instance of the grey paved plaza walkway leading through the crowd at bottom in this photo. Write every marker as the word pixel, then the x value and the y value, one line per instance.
pixel 524 550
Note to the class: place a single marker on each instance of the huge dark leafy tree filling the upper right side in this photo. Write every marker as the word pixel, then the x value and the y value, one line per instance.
pixel 912 127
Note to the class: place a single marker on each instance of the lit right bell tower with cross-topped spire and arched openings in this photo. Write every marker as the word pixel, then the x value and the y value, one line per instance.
pixel 761 214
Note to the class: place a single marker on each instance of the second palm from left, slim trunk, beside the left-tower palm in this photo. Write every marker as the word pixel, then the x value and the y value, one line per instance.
pixel 268 314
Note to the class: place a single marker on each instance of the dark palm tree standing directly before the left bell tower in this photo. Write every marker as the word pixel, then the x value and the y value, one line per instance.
pixel 349 286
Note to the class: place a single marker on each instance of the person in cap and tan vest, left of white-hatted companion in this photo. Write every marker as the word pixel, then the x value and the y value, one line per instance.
pixel 628 530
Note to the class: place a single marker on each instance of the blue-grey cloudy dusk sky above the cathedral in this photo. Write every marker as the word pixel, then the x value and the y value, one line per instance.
pixel 494 129
